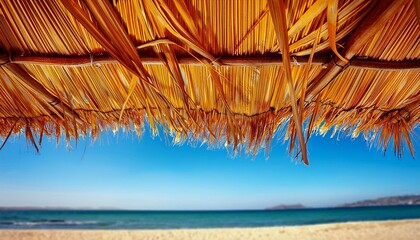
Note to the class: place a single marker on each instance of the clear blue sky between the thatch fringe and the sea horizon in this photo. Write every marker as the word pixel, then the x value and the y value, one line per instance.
pixel 124 172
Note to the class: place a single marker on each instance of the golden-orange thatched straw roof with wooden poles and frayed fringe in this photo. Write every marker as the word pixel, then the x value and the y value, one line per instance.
pixel 225 72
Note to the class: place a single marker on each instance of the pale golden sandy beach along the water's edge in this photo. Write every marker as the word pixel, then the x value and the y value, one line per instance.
pixel 403 229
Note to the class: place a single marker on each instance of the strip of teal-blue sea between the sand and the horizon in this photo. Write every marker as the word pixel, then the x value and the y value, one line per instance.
pixel 85 219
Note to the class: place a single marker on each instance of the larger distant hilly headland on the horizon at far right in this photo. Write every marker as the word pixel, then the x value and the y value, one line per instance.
pixel 386 201
